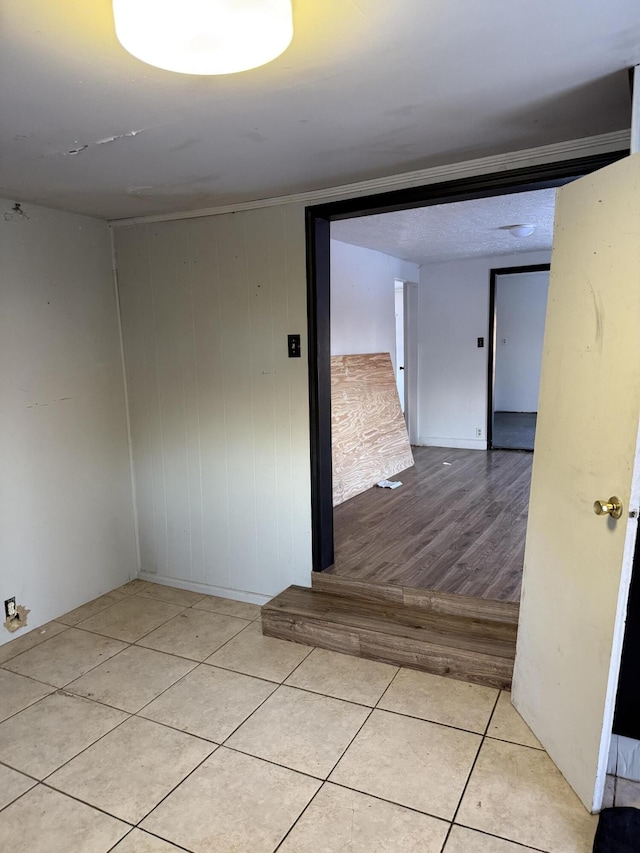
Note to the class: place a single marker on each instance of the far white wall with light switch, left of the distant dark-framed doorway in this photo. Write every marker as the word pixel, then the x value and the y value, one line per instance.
pixel 452 370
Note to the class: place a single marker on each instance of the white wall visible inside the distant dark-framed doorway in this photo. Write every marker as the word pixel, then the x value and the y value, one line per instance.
pixel 521 306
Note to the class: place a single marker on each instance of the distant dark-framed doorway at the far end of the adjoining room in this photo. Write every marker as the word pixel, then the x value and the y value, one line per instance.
pixel 517 313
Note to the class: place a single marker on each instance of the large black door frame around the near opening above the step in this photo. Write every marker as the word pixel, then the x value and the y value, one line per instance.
pixel 318 219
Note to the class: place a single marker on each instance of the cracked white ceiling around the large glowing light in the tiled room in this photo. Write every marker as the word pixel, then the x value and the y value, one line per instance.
pixel 367 88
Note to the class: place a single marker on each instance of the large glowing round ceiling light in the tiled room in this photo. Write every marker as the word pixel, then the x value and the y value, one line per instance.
pixel 204 36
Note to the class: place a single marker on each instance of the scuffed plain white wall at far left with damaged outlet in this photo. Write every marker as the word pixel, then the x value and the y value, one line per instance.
pixel 66 513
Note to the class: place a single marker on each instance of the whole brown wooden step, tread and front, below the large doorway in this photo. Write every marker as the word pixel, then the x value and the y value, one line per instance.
pixel 459 646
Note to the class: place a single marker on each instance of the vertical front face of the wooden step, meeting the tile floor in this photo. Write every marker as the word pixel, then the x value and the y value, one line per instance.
pixel 388 648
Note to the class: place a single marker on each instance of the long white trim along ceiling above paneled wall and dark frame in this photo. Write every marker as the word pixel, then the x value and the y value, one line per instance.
pixel 568 150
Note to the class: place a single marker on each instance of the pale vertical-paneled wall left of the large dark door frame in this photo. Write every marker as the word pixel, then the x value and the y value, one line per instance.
pixel 219 413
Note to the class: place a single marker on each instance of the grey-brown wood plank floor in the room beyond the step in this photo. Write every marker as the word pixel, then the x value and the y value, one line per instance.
pixel 459 528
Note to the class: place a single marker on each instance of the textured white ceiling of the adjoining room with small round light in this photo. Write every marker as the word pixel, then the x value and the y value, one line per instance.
pixel 465 229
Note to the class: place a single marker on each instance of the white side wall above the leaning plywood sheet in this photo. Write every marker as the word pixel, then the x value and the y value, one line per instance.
pixel 363 300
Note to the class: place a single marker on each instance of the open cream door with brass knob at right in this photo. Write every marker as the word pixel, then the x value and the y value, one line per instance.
pixel 578 565
